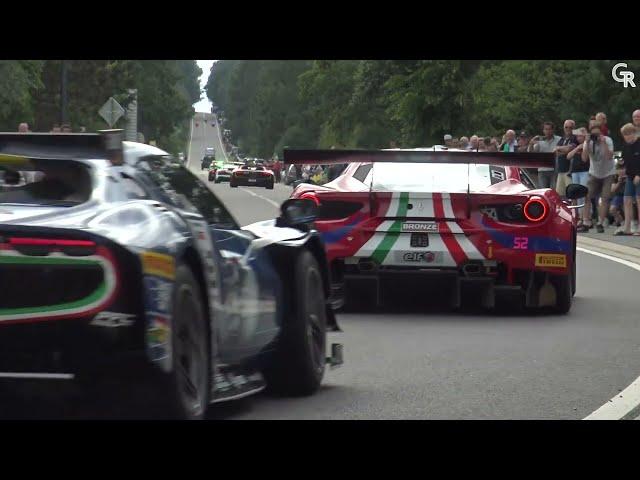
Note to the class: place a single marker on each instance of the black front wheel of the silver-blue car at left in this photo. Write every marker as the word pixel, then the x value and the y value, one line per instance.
pixel 299 361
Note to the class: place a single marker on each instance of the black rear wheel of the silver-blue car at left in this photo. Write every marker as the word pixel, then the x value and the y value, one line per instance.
pixel 187 387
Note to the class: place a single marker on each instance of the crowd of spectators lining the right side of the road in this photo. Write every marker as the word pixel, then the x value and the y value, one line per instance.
pixel 584 155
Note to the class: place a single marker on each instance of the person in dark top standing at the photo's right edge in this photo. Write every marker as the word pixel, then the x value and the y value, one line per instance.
pixel 631 161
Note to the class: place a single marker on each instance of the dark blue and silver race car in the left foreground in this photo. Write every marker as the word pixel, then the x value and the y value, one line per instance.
pixel 119 262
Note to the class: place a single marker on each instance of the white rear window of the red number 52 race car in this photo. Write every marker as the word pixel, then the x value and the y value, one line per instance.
pixel 430 177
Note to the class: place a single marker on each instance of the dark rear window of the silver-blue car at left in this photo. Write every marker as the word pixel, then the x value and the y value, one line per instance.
pixel 44 182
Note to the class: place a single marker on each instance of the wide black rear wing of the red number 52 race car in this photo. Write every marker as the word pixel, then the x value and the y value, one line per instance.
pixel 330 157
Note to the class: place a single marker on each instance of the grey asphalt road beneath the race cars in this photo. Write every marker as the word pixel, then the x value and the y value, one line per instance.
pixel 403 363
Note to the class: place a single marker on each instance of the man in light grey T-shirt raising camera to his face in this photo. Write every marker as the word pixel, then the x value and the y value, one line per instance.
pixel 598 151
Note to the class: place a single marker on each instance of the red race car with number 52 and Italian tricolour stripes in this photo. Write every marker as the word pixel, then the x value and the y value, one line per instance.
pixel 473 221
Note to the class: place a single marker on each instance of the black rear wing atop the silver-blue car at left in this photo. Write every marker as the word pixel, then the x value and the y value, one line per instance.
pixel 107 145
